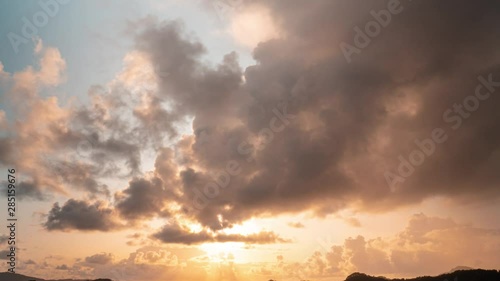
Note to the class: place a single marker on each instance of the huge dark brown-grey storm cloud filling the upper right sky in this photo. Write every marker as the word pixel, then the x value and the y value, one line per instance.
pixel 353 119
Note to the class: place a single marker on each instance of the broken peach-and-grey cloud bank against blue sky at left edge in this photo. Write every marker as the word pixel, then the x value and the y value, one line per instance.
pixel 61 147
